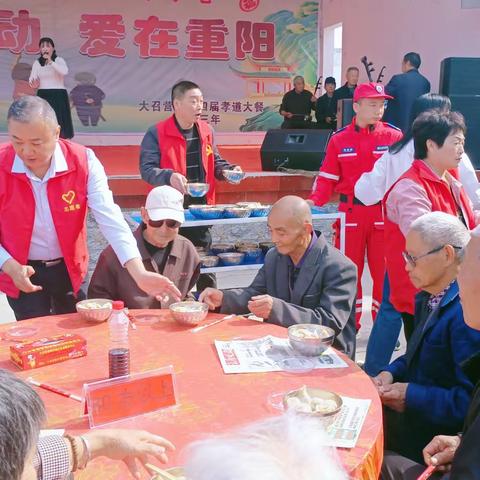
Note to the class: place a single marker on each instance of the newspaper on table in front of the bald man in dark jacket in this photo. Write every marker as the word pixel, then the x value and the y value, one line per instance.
pixel 269 354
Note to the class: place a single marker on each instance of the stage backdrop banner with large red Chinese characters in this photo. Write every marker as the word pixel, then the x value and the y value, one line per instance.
pixel 124 57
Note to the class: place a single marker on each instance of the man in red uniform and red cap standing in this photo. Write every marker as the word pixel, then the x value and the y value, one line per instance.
pixel 352 151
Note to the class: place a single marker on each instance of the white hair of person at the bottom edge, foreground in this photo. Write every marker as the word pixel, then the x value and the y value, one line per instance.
pixel 290 447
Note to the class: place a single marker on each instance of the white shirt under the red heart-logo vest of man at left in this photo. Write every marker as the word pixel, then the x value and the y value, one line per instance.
pixel 44 243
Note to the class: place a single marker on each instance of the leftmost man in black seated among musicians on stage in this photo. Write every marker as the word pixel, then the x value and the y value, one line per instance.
pixel 297 105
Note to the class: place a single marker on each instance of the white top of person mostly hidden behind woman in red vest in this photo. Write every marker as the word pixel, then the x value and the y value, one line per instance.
pixel 372 186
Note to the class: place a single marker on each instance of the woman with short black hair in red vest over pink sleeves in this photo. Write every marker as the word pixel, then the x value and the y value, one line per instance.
pixel 430 184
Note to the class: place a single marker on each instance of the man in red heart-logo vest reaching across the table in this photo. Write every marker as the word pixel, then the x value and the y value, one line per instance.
pixel 46 186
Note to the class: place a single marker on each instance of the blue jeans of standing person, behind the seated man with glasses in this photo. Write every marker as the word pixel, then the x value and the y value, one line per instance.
pixel 384 335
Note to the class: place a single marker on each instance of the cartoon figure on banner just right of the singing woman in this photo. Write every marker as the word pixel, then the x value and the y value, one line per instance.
pixel 87 99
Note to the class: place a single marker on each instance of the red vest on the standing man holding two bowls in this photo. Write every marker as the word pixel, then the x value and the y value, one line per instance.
pixel 173 151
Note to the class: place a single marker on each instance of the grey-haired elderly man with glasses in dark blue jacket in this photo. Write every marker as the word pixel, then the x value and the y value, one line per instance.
pixel 425 392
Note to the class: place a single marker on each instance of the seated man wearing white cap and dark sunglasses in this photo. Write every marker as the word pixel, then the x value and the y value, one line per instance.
pixel 163 251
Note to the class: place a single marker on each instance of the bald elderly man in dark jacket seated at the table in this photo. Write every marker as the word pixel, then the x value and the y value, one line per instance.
pixel 303 280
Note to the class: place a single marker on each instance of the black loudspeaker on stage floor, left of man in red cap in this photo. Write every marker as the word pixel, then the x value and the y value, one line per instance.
pixel 295 149
